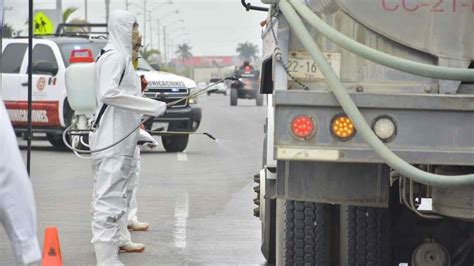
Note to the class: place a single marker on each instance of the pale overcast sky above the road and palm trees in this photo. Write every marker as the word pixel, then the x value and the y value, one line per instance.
pixel 213 27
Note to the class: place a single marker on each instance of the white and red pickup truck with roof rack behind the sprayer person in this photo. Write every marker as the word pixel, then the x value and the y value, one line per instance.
pixel 51 110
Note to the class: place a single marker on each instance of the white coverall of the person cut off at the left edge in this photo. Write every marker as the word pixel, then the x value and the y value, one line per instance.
pixel 17 202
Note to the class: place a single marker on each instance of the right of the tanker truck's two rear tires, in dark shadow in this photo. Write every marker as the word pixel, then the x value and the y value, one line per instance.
pixel 368 236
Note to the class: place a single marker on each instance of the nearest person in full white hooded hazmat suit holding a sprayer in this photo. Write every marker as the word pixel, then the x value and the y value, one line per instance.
pixel 118 87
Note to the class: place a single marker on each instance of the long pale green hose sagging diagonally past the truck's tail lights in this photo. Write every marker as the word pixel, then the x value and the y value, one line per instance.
pixel 355 115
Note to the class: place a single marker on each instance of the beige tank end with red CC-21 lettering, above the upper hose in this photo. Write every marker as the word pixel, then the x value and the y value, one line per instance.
pixel 425 25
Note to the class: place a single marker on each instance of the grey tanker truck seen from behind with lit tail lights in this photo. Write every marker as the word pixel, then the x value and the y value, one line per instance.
pixel 368 156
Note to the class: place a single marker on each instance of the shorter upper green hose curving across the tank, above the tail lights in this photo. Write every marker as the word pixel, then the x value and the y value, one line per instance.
pixel 425 70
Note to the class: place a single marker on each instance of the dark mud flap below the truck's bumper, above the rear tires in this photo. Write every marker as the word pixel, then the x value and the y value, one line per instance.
pixel 354 184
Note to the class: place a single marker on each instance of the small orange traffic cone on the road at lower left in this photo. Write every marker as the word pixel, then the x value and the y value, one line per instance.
pixel 51 248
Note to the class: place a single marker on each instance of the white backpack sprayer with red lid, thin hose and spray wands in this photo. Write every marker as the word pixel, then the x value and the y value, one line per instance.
pixel 81 91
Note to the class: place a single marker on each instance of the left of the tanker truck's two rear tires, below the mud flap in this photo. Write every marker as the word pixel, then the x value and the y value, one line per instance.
pixel 306 234
